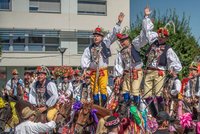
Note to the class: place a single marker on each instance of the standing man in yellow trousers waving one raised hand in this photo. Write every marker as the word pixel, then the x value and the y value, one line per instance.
pixel 95 58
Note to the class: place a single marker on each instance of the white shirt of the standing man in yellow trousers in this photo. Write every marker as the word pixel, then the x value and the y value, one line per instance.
pixel 108 40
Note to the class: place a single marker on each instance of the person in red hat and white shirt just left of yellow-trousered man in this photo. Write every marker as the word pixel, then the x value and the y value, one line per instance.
pixel 77 84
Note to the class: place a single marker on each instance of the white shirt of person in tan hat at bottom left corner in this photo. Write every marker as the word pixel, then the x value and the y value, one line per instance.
pixel 29 127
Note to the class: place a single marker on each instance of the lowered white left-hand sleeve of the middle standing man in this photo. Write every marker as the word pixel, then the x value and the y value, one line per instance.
pixel 118 67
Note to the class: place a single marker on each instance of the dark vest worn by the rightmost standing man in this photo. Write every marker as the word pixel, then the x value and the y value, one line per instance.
pixel 162 59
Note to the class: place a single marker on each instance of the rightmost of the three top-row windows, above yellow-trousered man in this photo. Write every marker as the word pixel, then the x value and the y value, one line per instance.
pixel 93 7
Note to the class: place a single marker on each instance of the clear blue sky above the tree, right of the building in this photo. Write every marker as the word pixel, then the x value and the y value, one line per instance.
pixel 190 7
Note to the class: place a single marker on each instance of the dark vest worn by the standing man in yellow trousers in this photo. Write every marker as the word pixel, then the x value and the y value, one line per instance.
pixel 106 53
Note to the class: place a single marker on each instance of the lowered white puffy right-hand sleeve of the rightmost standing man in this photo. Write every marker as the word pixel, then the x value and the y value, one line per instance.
pixel 173 61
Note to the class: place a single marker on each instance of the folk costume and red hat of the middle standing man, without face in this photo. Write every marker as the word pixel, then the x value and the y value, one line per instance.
pixel 129 65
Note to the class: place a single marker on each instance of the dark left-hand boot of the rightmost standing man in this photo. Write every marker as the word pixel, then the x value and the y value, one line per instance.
pixel 152 106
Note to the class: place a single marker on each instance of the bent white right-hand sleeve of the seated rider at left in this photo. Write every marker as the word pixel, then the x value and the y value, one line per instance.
pixel 53 92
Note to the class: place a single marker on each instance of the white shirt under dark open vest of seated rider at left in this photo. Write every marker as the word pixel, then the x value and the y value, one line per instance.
pixel 51 90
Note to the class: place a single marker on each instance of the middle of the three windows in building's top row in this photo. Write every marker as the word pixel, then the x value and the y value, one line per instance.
pixel 51 6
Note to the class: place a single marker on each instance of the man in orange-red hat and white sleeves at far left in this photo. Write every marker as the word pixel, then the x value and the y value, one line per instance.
pixel 14 84
